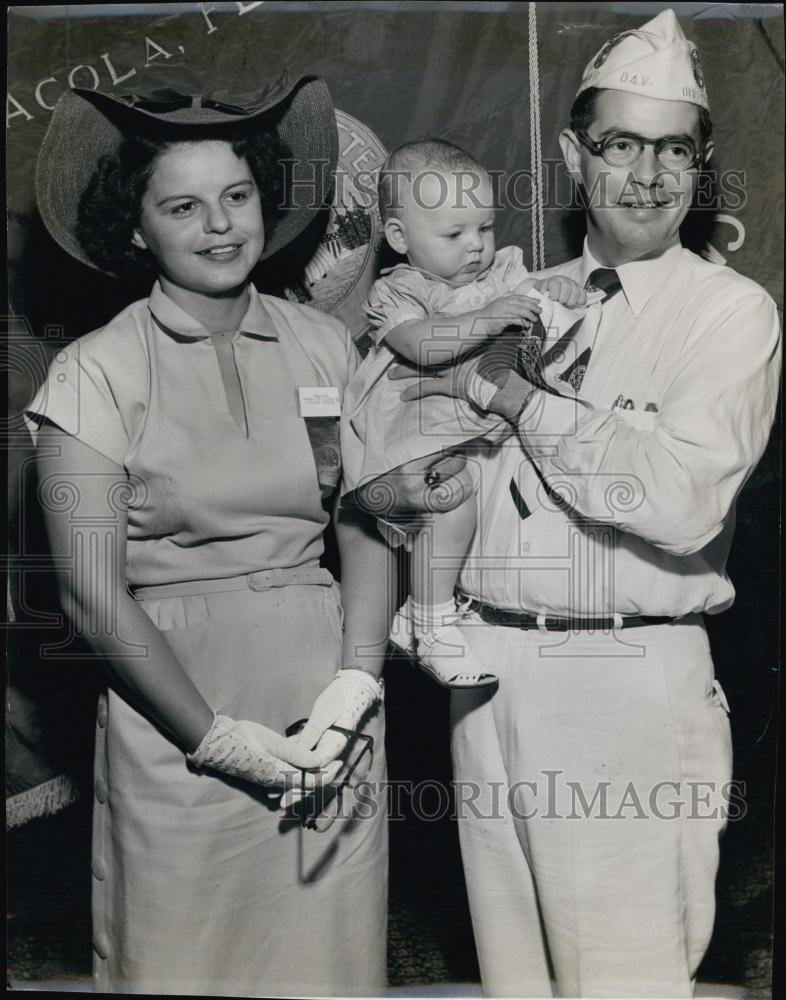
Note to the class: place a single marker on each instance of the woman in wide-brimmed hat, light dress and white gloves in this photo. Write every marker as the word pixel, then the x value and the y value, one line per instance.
pixel 181 487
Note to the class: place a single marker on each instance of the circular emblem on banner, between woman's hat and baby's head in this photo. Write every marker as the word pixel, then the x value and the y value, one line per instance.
pixel 339 275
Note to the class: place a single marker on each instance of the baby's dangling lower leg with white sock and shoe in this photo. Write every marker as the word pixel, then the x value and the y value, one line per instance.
pixel 438 553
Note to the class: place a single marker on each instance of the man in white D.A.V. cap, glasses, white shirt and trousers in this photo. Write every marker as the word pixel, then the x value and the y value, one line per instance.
pixel 592 785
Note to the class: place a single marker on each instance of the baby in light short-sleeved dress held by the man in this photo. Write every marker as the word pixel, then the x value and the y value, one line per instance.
pixel 452 297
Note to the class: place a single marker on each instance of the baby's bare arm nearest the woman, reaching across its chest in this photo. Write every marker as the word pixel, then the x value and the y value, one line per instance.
pixel 442 340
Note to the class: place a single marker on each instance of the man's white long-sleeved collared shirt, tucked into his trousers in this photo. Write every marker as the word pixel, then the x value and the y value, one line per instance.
pixel 629 488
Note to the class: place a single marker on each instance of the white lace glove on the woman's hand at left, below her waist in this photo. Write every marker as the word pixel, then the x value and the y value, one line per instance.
pixel 255 753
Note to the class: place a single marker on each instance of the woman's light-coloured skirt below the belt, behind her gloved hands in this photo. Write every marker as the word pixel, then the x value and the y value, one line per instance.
pixel 201 885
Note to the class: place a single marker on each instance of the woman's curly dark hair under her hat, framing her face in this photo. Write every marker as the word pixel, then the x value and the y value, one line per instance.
pixel 110 206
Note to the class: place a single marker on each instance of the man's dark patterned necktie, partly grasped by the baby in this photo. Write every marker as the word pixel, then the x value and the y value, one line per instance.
pixel 578 339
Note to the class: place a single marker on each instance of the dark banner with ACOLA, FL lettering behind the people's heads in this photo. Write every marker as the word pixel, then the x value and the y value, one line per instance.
pixel 453 70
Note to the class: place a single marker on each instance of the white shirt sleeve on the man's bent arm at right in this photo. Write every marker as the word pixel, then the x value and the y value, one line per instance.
pixel 681 467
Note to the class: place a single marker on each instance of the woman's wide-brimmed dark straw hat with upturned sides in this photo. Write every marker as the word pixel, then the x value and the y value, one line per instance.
pixel 86 125
